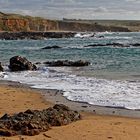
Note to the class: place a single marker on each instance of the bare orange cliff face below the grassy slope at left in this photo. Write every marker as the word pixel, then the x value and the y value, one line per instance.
pixel 15 25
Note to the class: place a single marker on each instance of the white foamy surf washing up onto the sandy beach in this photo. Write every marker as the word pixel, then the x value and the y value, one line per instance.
pixel 102 92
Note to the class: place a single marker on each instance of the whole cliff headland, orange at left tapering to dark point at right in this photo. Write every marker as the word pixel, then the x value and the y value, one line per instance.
pixel 15 22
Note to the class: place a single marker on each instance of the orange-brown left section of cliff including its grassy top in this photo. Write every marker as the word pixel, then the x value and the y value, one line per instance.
pixel 12 22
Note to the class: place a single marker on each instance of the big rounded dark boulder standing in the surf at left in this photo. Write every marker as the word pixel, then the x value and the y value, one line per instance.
pixel 18 63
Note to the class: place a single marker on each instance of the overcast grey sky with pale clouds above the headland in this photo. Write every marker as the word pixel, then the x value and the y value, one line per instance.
pixel 78 9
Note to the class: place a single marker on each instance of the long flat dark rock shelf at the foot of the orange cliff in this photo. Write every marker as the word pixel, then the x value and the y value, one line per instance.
pixel 34 35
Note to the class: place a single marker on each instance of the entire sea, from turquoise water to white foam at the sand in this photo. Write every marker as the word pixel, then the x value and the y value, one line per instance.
pixel 112 79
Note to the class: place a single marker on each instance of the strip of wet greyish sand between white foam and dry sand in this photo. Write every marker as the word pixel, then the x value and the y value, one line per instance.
pixel 56 97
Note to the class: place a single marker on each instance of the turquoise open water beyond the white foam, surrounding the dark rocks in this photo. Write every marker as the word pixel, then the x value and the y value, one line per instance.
pixel 106 62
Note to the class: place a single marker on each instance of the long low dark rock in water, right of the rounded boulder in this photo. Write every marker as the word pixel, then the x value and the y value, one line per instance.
pixel 59 63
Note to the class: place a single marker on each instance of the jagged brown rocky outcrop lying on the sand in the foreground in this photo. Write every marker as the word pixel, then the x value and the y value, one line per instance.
pixel 32 122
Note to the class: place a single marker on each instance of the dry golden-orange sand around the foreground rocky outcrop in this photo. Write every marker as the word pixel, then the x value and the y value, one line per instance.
pixel 92 126
